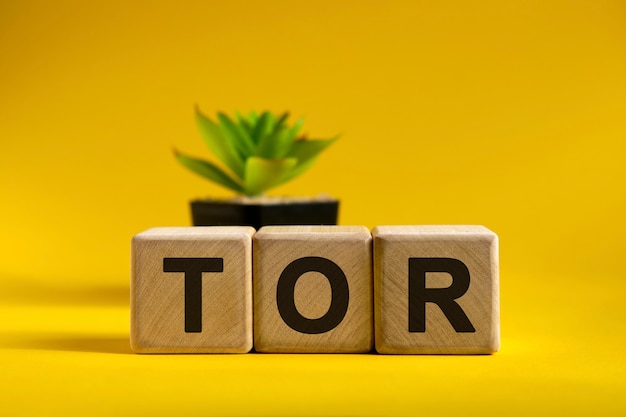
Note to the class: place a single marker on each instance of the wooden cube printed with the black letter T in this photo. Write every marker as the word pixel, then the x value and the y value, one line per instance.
pixel 191 290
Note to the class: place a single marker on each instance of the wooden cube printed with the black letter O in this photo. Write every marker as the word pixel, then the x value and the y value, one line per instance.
pixel 313 289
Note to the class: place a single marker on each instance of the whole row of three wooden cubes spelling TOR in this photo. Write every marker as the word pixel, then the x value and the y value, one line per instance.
pixel 318 289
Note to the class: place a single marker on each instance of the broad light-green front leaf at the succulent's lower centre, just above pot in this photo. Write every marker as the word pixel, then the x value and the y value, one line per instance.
pixel 263 174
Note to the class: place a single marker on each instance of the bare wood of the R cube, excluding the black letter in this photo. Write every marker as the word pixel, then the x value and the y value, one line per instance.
pixel 477 248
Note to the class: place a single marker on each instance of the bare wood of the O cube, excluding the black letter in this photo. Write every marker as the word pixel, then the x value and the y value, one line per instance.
pixel 350 248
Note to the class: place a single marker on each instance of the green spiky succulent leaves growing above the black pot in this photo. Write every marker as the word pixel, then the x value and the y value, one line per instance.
pixel 258 151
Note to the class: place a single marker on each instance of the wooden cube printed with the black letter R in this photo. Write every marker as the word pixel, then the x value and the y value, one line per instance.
pixel 436 289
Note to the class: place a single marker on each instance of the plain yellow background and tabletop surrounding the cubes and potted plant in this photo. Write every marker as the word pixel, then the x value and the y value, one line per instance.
pixel 509 114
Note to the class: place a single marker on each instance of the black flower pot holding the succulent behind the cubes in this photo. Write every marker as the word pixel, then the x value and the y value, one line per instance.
pixel 259 212
